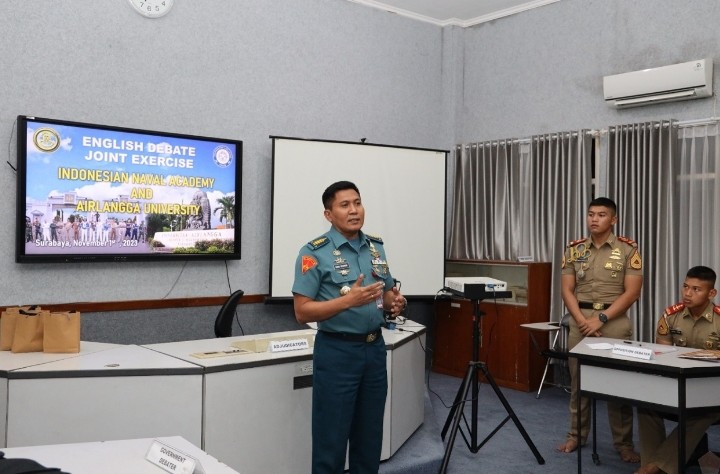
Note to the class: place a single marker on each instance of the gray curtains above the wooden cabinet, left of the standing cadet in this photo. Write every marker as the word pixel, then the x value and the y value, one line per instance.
pixel 521 198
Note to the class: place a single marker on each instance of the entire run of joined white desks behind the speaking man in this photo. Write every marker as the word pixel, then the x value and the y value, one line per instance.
pixel 252 411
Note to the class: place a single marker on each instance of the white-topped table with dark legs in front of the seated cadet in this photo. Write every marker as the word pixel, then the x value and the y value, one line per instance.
pixel 668 383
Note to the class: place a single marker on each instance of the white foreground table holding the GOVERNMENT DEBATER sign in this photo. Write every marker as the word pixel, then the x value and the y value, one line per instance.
pixel 113 457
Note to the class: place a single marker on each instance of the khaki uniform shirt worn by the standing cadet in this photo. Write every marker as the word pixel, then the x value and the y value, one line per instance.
pixel 600 272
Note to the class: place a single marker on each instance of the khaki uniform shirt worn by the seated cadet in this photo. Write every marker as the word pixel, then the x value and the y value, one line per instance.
pixel 679 327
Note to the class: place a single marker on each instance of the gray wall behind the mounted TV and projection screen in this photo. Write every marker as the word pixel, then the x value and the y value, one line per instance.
pixel 323 69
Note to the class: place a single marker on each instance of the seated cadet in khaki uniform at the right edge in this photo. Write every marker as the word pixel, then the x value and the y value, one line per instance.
pixel 693 323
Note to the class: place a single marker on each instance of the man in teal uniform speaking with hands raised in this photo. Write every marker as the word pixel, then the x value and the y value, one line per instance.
pixel 343 282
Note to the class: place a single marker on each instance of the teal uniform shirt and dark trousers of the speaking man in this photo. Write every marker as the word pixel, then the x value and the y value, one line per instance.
pixel 349 376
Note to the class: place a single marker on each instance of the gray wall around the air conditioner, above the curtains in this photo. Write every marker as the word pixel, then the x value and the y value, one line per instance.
pixel 541 71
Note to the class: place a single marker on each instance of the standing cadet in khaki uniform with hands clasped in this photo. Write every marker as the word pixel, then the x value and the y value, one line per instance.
pixel 601 279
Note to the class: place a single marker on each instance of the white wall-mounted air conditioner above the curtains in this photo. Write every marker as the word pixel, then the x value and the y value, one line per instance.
pixel 690 80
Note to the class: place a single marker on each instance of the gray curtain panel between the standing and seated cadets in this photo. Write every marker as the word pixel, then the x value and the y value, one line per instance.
pixel 643 165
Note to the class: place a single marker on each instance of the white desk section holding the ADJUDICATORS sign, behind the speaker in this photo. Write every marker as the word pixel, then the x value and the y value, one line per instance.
pixel 258 407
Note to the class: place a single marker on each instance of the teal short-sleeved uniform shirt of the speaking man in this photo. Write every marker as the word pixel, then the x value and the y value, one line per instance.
pixel 330 263
